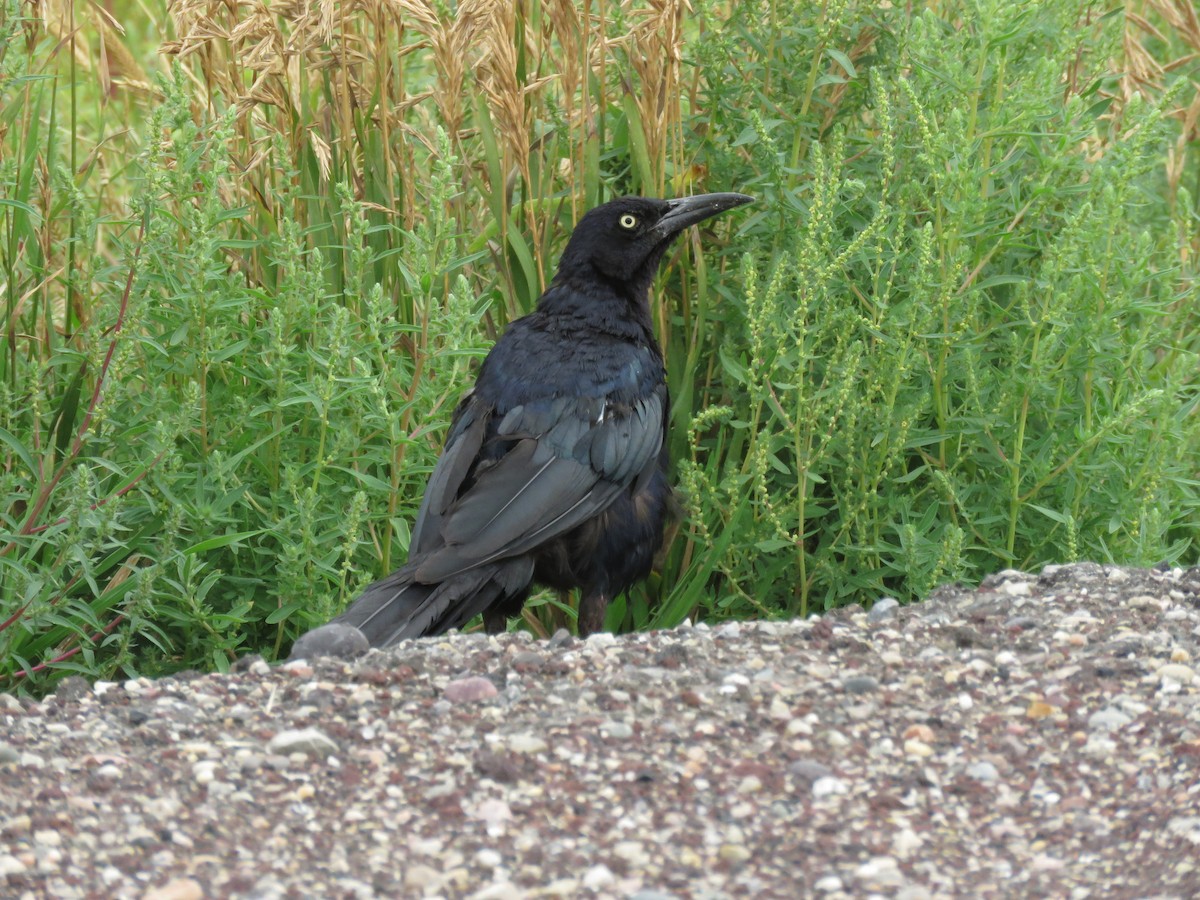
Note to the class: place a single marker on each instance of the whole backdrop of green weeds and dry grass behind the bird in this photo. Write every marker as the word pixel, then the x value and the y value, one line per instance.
pixel 250 254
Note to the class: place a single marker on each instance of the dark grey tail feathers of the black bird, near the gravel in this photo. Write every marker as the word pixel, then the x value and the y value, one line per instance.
pixel 398 608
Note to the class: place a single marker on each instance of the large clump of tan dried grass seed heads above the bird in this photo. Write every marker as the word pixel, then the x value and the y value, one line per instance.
pixel 320 76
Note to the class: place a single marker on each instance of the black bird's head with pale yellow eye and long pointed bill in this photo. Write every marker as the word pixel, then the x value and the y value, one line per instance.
pixel 625 241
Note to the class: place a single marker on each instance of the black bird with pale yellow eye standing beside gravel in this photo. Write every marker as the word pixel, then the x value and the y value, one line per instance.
pixel 555 466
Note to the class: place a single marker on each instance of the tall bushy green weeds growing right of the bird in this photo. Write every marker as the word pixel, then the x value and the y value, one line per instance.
pixel 956 353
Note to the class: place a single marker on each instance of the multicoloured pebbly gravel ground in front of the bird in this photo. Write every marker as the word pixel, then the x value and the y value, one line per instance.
pixel 1037 737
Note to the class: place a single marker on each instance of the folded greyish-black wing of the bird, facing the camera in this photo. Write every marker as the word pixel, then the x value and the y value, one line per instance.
pixel 568 460
